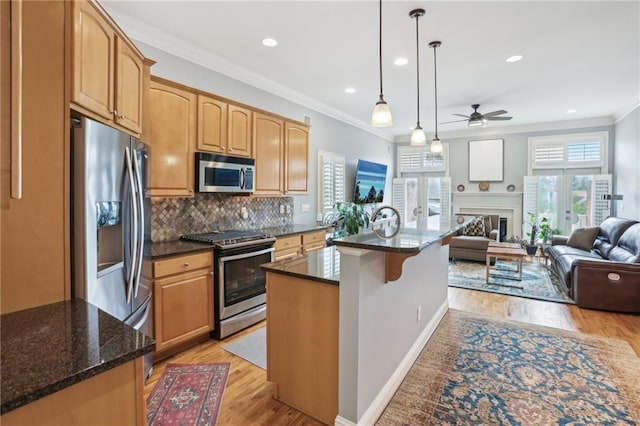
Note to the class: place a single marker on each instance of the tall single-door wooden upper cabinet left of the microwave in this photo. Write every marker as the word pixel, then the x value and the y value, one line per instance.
pixel 172 134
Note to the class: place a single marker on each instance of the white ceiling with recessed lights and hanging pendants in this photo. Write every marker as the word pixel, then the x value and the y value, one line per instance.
pixel 579 55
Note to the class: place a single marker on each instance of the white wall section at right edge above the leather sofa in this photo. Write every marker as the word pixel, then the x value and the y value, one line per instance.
pixel 626 158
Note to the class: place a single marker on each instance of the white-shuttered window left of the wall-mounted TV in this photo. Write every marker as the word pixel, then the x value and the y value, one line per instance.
pixel 331 169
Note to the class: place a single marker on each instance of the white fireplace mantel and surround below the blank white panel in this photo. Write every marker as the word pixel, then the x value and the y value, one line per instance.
pixel 505 204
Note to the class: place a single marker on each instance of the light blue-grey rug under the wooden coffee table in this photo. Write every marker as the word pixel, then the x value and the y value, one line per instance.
pixel 538 282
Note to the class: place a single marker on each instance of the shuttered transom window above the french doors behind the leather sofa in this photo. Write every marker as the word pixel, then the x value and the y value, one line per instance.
pixel 569 151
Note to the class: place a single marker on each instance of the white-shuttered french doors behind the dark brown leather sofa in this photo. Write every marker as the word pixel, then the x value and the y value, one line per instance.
pixel 568 198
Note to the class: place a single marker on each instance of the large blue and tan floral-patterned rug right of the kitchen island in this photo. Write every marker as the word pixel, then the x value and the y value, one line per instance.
pixel 480 370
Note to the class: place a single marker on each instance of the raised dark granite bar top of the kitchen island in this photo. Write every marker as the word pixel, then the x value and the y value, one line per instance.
pixel 408 240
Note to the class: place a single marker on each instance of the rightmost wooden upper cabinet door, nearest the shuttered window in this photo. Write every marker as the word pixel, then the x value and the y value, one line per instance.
pixel 296 158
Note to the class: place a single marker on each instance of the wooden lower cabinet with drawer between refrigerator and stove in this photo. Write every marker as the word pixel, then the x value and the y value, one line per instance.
pixel 183 299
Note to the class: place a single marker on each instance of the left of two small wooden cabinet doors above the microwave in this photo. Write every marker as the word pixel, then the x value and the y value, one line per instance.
pixel 212 125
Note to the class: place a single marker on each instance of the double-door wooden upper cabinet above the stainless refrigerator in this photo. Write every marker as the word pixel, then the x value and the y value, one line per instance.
pixel 107 78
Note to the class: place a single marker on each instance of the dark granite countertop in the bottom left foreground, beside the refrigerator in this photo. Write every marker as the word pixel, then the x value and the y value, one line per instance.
pixel 51 347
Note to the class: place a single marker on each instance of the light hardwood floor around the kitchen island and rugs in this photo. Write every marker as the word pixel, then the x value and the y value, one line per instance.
pixel 248 397
